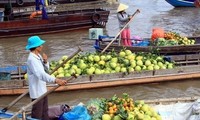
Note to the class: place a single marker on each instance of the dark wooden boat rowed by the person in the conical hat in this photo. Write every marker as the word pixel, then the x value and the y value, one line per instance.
pixel 163 50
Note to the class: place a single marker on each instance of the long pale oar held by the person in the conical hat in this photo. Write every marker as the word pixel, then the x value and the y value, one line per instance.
pixel 137 11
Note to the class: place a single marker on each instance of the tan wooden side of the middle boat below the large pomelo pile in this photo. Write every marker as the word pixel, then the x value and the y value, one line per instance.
pixel 9 87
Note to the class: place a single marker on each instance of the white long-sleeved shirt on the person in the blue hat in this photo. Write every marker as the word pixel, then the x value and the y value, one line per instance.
pixel 37 76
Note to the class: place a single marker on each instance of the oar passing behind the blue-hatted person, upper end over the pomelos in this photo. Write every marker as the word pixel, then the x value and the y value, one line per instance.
pixel 25 93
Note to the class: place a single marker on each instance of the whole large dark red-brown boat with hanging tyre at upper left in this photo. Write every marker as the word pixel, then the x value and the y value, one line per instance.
pixel 61 18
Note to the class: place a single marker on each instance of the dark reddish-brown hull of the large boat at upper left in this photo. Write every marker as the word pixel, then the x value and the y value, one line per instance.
pixel 59 22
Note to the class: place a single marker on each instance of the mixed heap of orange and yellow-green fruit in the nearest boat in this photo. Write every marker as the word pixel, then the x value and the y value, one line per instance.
pixel 121 108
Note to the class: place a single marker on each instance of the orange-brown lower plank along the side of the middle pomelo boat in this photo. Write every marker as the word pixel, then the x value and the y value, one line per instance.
pixel 110 83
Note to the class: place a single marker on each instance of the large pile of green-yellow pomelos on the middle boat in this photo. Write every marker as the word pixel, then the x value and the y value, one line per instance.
pixel 112 62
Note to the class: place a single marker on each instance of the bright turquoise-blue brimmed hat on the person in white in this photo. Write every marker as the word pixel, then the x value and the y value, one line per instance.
pixel 33 42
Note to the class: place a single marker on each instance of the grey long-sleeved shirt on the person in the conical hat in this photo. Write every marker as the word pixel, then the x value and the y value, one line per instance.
pixel 123 18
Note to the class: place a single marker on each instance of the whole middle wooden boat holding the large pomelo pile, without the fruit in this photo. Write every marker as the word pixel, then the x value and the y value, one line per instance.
pixel 188 68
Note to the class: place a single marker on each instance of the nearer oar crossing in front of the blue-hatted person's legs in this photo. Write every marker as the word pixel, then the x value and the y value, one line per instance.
pixel 38 99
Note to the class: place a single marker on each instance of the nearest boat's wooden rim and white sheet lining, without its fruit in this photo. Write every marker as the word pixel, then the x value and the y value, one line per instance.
pixel 166 107
